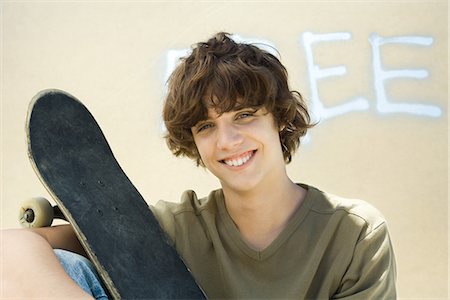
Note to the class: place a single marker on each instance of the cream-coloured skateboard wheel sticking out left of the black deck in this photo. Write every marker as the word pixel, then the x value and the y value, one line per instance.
pixel 36 212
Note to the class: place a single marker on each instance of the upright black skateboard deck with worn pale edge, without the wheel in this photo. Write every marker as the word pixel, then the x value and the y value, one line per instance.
pixel 113 222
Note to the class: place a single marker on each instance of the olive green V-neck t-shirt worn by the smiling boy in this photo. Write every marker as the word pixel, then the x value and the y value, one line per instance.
pixel 331 248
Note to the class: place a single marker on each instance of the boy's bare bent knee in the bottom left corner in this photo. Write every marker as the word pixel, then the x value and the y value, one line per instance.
pixel 30 269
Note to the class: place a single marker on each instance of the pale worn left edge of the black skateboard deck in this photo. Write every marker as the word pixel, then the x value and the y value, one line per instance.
pixel 81 237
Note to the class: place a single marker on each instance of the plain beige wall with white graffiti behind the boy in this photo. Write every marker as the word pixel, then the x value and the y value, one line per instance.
pixel 113 56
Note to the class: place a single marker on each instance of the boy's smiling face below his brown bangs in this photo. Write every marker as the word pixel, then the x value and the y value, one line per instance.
pixel 241 148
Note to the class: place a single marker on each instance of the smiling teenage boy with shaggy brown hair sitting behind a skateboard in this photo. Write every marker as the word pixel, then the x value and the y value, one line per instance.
pixel 229 108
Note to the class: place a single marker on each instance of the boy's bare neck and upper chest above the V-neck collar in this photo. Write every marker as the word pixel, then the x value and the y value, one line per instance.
pixel 261 215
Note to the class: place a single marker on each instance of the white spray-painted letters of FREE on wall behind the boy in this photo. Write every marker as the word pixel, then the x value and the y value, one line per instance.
pixel 380 75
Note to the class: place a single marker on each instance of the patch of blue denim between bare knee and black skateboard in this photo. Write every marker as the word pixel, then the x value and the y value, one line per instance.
pixel 82 272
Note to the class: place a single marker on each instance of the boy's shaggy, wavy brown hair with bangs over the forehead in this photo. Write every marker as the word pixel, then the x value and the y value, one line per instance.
pixel 228 76
